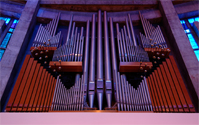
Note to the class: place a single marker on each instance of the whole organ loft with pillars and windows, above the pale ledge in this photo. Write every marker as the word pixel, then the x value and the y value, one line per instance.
pixel 122 56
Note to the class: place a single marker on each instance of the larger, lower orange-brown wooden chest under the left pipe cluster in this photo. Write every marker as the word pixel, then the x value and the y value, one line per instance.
pixel 66 66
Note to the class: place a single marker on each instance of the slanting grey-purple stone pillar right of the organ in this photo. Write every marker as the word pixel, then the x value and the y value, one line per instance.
pixel 181 45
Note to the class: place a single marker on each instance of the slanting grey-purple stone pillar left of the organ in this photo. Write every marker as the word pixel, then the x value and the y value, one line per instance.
pixel 15 49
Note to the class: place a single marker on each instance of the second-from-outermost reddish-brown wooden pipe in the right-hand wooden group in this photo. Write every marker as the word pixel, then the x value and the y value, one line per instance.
pixel 179 91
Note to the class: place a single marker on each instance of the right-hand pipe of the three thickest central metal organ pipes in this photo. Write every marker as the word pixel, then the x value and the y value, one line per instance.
pixel 108 83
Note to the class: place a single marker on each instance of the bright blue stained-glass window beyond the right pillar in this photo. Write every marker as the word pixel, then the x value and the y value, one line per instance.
pixel 193 42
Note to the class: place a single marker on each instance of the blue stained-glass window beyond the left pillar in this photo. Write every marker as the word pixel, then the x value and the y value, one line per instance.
pixel 8 34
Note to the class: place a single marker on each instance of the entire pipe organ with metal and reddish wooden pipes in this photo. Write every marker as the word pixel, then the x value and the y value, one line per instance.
pixel 114 71
